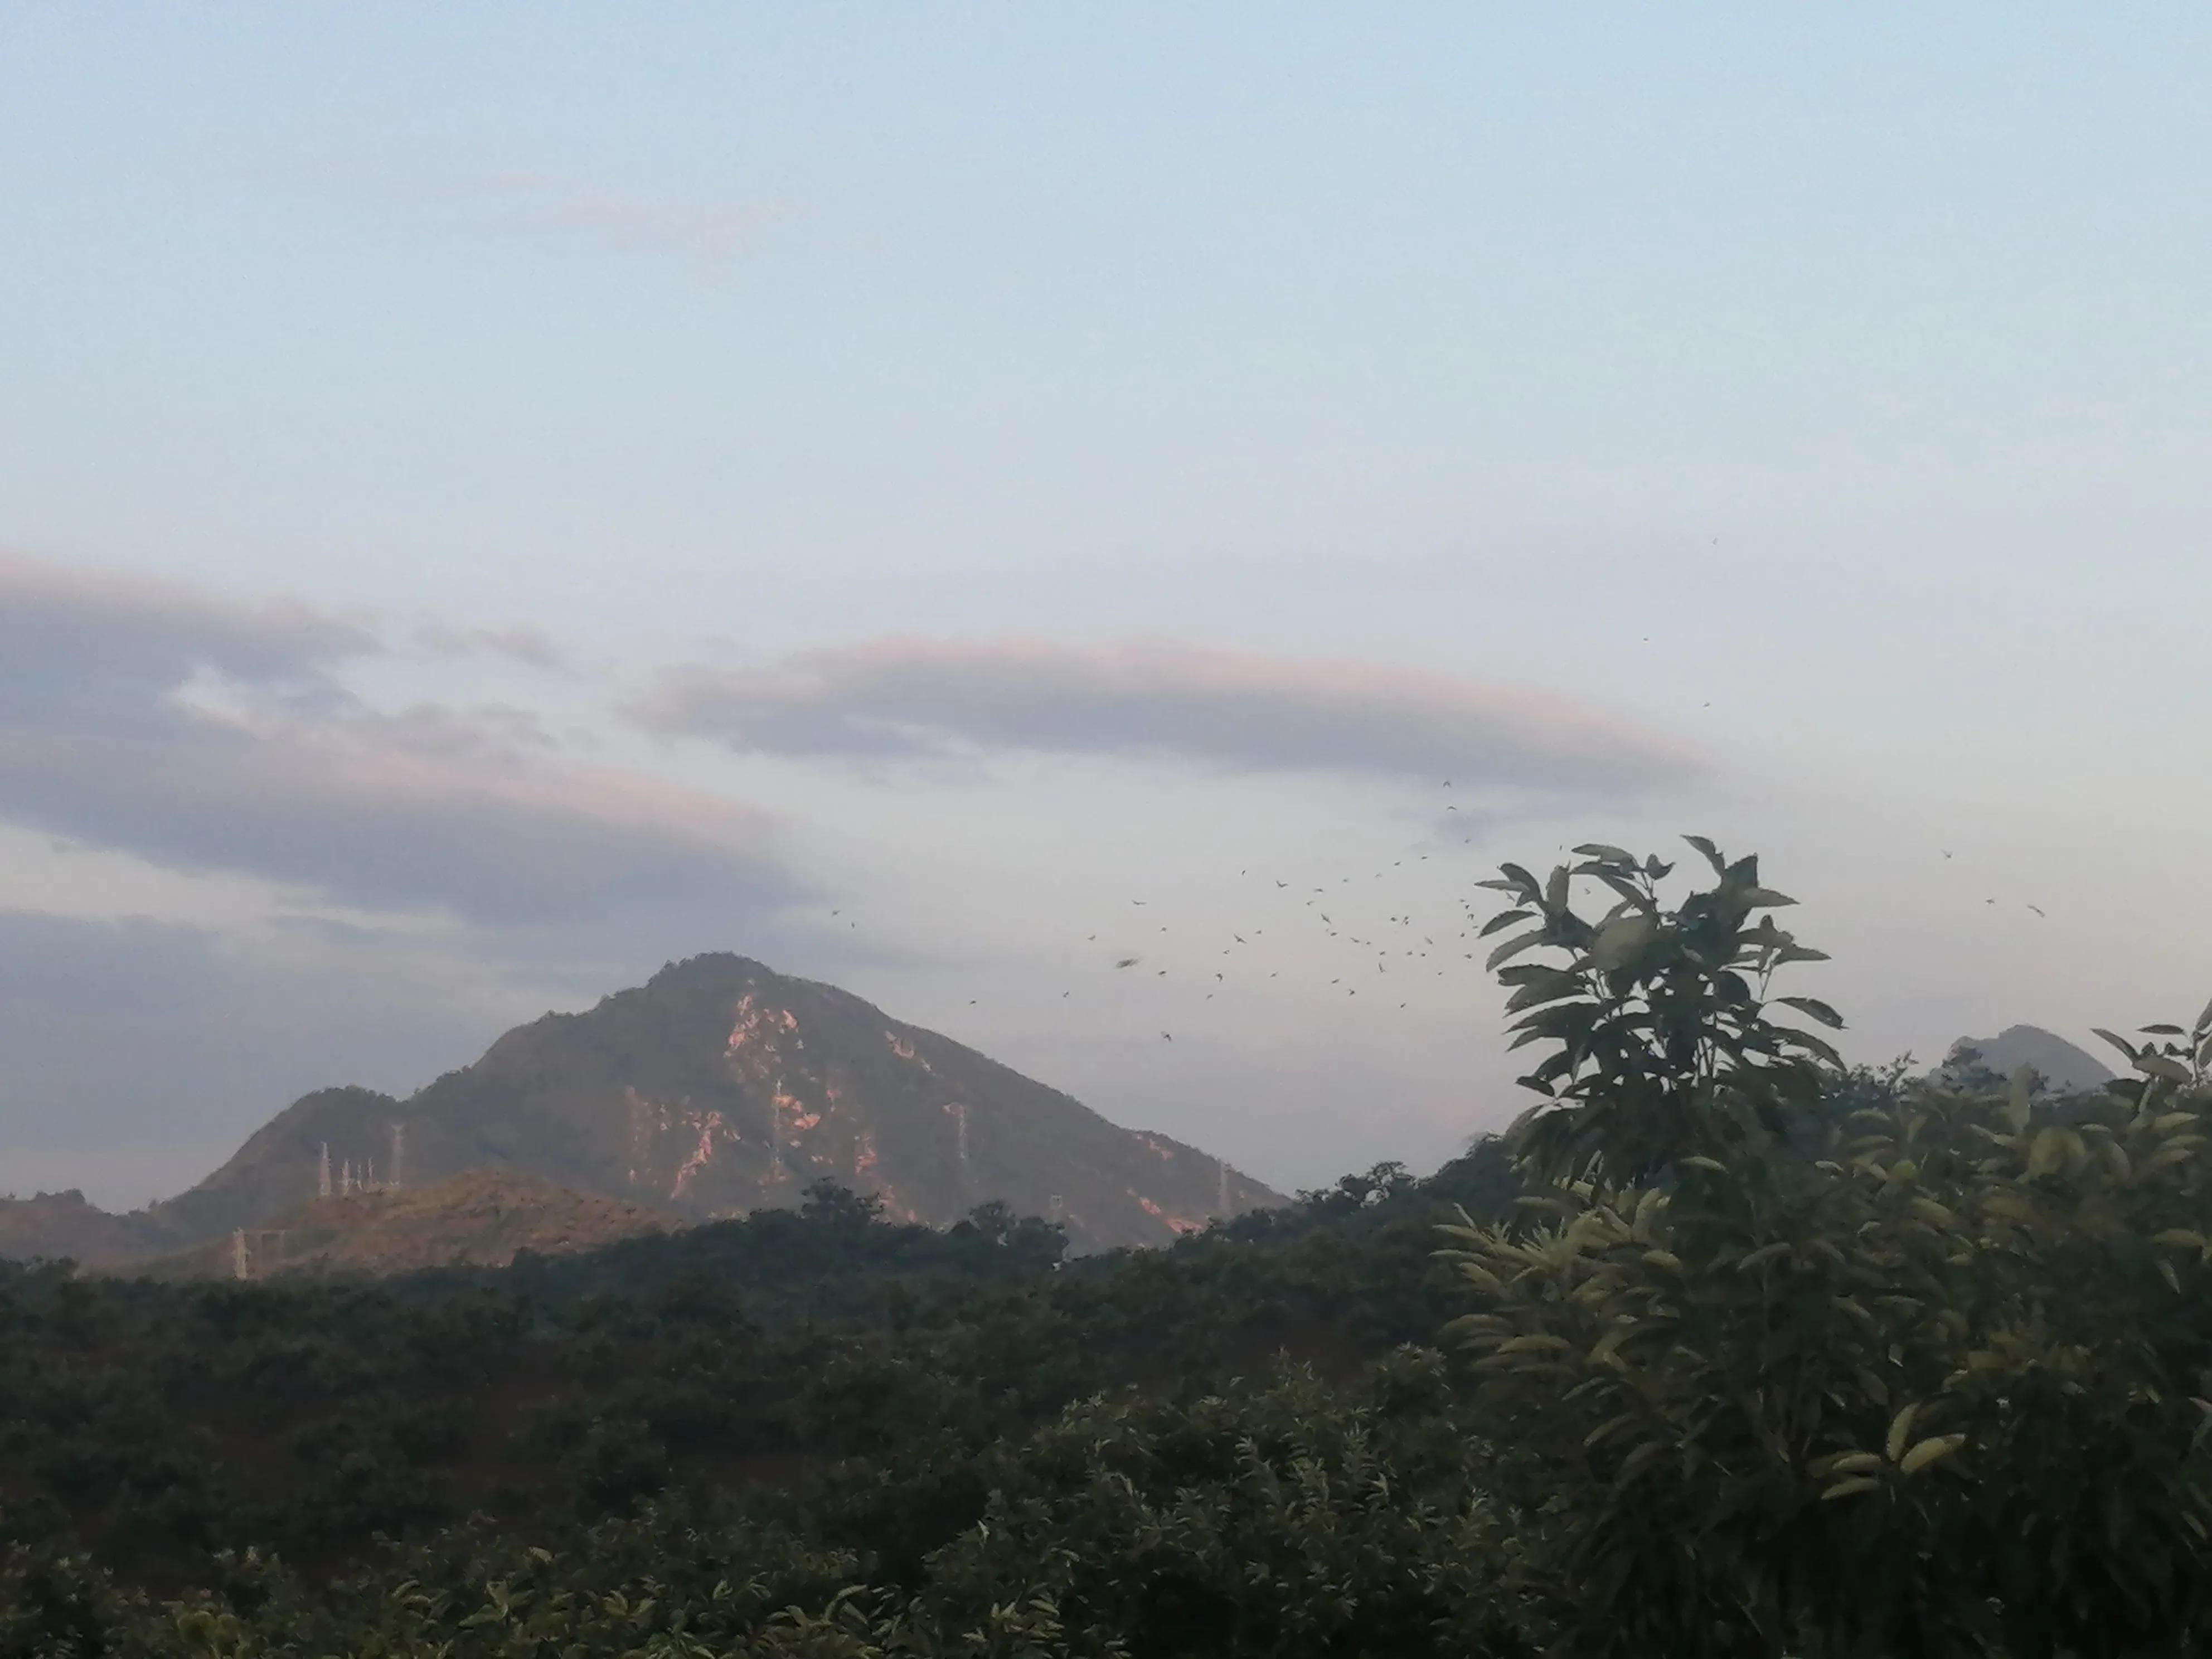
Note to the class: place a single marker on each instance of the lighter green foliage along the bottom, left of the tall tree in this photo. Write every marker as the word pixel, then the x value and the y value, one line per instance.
pixel 1282 1521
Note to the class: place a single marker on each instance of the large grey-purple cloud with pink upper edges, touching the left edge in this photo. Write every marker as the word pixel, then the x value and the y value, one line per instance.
pixel 211 735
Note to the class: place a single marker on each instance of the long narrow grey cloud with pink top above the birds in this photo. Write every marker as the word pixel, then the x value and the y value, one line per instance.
pixel 924 698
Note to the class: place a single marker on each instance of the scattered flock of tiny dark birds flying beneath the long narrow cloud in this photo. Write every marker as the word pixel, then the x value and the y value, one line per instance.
pixel 1342 919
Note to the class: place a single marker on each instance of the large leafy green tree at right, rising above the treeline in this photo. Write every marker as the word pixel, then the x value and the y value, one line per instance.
pixel 1844 1364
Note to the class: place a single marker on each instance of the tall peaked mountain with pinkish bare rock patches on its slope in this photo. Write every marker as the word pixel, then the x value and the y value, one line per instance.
pixel 716 1089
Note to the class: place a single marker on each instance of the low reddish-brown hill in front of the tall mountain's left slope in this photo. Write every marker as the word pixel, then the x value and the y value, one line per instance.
pixel 472 1220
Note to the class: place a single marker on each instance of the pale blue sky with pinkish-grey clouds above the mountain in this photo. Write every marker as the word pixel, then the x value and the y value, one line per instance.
pixel 948 499
